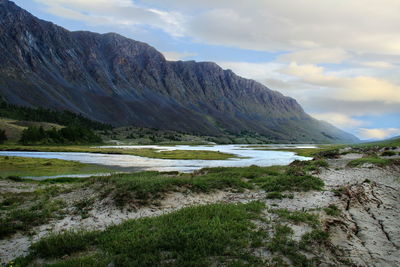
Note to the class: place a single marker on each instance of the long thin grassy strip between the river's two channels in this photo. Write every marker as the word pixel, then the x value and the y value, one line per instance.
pixel 142 152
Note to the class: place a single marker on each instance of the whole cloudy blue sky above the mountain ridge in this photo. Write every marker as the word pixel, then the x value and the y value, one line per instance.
pixel 339 59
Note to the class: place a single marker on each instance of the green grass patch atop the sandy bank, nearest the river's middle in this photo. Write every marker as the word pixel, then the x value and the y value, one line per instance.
pixel 144 187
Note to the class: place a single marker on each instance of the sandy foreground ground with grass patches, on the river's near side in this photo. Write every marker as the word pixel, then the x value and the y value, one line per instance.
pixel 352 221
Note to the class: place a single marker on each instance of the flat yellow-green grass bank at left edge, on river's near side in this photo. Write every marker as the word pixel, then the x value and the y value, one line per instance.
pixel 21 166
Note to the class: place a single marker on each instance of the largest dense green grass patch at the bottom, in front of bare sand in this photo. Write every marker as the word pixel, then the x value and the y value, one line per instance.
pixel 219 234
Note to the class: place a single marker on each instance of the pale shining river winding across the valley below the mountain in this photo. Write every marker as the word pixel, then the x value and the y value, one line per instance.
pixel 251 156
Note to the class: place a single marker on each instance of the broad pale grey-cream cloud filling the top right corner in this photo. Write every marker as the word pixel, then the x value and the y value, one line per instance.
pixel 358 26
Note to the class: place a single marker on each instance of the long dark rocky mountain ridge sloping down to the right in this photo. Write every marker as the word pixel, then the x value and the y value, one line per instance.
pixel 116 80
